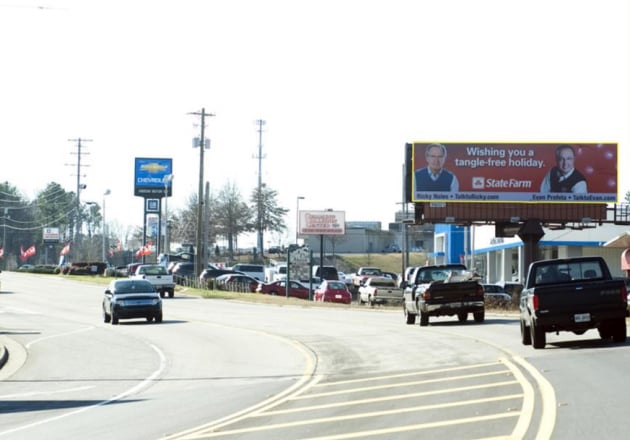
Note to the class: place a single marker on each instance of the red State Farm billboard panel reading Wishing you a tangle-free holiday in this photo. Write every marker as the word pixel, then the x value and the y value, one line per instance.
pixel 514 172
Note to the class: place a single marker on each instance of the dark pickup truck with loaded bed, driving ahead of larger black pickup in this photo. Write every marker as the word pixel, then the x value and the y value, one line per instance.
pixel 448 289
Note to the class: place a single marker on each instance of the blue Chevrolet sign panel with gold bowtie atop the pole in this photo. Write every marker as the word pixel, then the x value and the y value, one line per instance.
pixel 149 177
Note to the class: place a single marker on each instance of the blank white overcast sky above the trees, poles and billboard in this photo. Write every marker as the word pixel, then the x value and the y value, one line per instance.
pixel 341 84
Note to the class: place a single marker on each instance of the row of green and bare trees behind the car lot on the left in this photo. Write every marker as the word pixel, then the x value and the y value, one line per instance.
pixel 227 217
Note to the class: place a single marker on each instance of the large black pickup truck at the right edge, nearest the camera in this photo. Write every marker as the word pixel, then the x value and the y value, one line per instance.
pixel 572 294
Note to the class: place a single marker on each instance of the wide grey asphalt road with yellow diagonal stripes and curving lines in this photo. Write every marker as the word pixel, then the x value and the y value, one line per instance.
pixel 227 369
